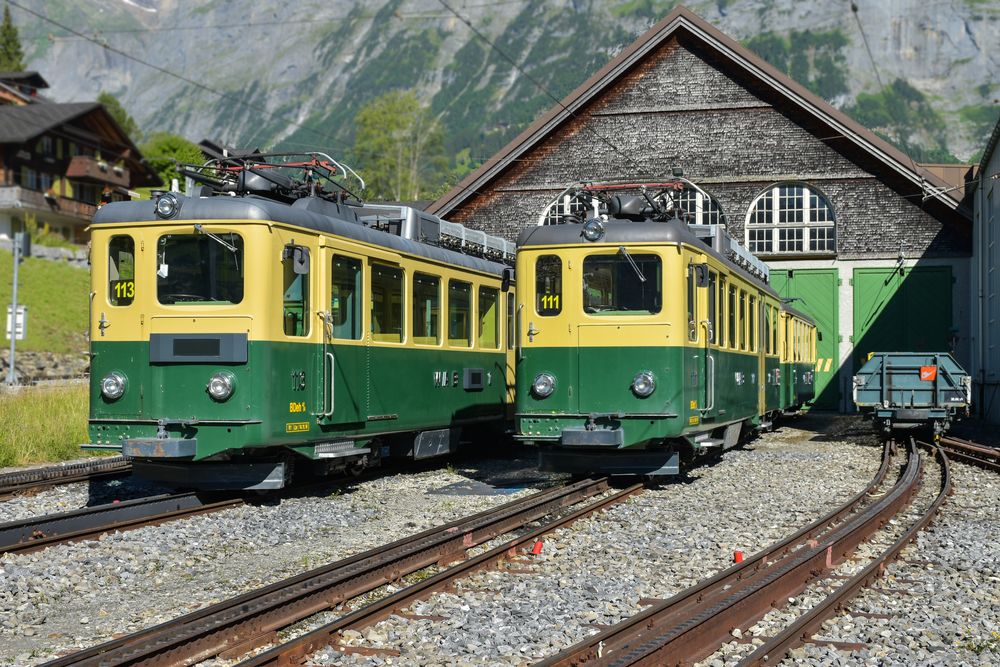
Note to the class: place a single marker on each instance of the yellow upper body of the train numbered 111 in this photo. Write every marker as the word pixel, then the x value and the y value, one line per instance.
pixel 555 288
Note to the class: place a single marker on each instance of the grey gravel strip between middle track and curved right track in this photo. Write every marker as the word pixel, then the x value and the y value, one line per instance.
pixel 596 571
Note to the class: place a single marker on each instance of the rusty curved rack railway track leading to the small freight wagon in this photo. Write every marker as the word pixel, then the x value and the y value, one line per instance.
pixel 693 624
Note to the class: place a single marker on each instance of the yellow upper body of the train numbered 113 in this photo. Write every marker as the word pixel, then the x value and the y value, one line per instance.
pixel 261 310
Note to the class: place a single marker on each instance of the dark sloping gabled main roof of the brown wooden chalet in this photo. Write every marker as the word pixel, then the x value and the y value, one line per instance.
pixel 21 124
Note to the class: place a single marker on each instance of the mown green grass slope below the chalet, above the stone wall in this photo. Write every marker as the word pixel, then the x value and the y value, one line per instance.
pixel 56 295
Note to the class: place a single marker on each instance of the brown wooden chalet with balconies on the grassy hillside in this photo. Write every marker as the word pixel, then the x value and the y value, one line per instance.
pixel 57 161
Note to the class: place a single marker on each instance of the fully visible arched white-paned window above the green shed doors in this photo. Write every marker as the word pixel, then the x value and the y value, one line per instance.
pixel 791 218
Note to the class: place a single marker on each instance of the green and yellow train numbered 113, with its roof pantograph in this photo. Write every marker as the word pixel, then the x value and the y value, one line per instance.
pixel 267 324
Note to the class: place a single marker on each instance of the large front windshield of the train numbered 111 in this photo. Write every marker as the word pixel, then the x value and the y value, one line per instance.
pixel 622 284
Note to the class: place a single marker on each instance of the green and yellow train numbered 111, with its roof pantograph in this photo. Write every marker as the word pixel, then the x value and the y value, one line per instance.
pixel 647 341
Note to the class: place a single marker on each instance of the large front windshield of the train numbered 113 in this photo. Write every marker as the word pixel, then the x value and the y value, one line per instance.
pixel 199 268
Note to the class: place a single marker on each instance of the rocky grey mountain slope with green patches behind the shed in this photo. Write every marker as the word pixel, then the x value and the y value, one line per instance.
pixel 293 75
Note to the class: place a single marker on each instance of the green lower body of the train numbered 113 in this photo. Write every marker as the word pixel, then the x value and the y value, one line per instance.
pixel 319 402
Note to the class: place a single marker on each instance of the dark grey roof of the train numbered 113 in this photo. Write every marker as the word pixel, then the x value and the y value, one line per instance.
pixel 320 215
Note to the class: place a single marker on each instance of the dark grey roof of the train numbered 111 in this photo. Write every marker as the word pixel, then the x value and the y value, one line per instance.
pixel 626 231
